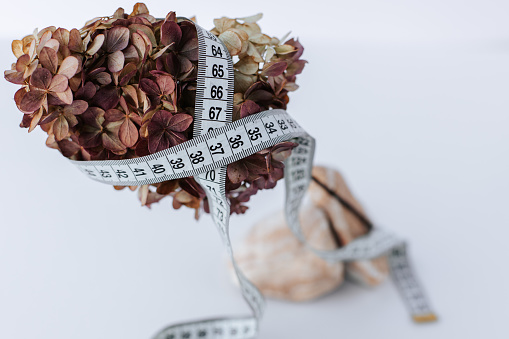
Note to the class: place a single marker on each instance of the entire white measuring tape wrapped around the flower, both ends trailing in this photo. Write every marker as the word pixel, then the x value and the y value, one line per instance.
pixel 218 142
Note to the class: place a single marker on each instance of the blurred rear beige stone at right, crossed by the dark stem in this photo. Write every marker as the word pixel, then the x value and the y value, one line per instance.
pixel 345 223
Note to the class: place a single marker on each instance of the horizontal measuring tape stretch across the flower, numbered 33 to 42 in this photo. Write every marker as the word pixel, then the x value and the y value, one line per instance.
pixel 201 154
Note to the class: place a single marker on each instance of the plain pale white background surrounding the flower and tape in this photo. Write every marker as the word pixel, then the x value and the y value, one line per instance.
pixel 408 98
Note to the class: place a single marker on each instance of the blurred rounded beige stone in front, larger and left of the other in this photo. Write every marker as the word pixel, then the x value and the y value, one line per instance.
pixel 281 267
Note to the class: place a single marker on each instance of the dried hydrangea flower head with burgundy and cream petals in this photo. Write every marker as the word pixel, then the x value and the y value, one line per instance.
pixel 124 87
